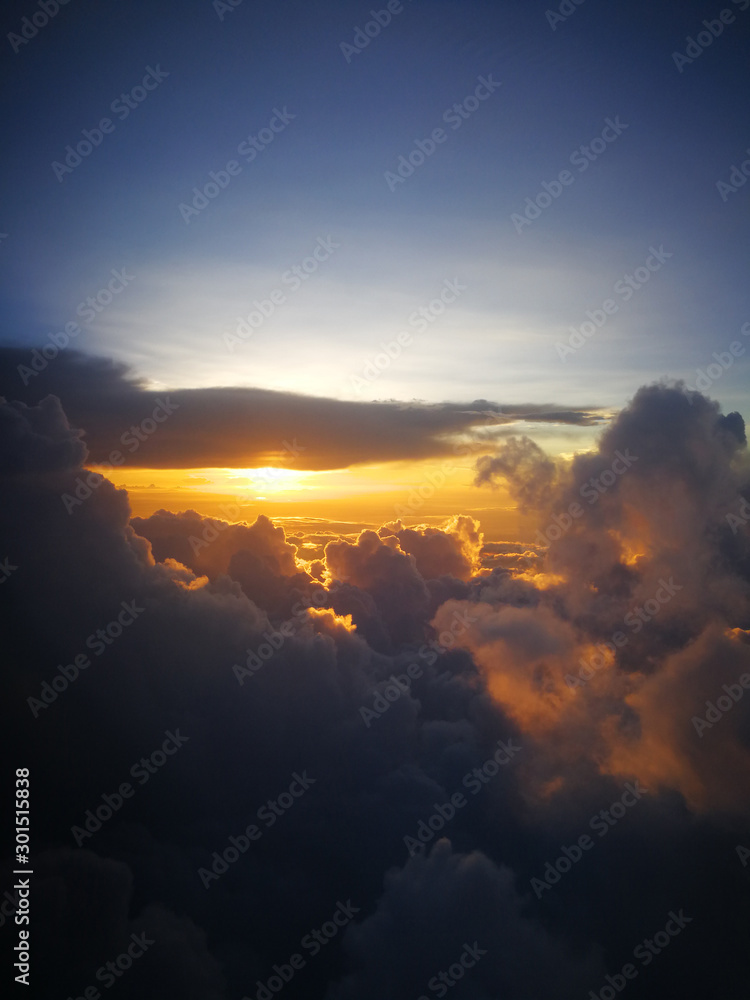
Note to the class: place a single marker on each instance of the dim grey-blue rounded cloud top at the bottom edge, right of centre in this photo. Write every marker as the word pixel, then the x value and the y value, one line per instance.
pixel 414 936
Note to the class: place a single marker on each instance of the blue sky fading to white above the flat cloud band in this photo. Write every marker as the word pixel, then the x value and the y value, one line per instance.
pixel 323 178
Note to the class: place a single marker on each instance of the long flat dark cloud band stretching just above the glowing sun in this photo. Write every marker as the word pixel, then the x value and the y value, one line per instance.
pixel 247 428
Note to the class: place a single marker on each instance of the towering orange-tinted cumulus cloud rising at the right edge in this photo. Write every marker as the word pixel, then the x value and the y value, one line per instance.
pixel 639 579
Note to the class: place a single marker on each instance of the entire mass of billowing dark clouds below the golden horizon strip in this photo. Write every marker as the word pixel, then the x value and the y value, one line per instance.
pixel 388 671
